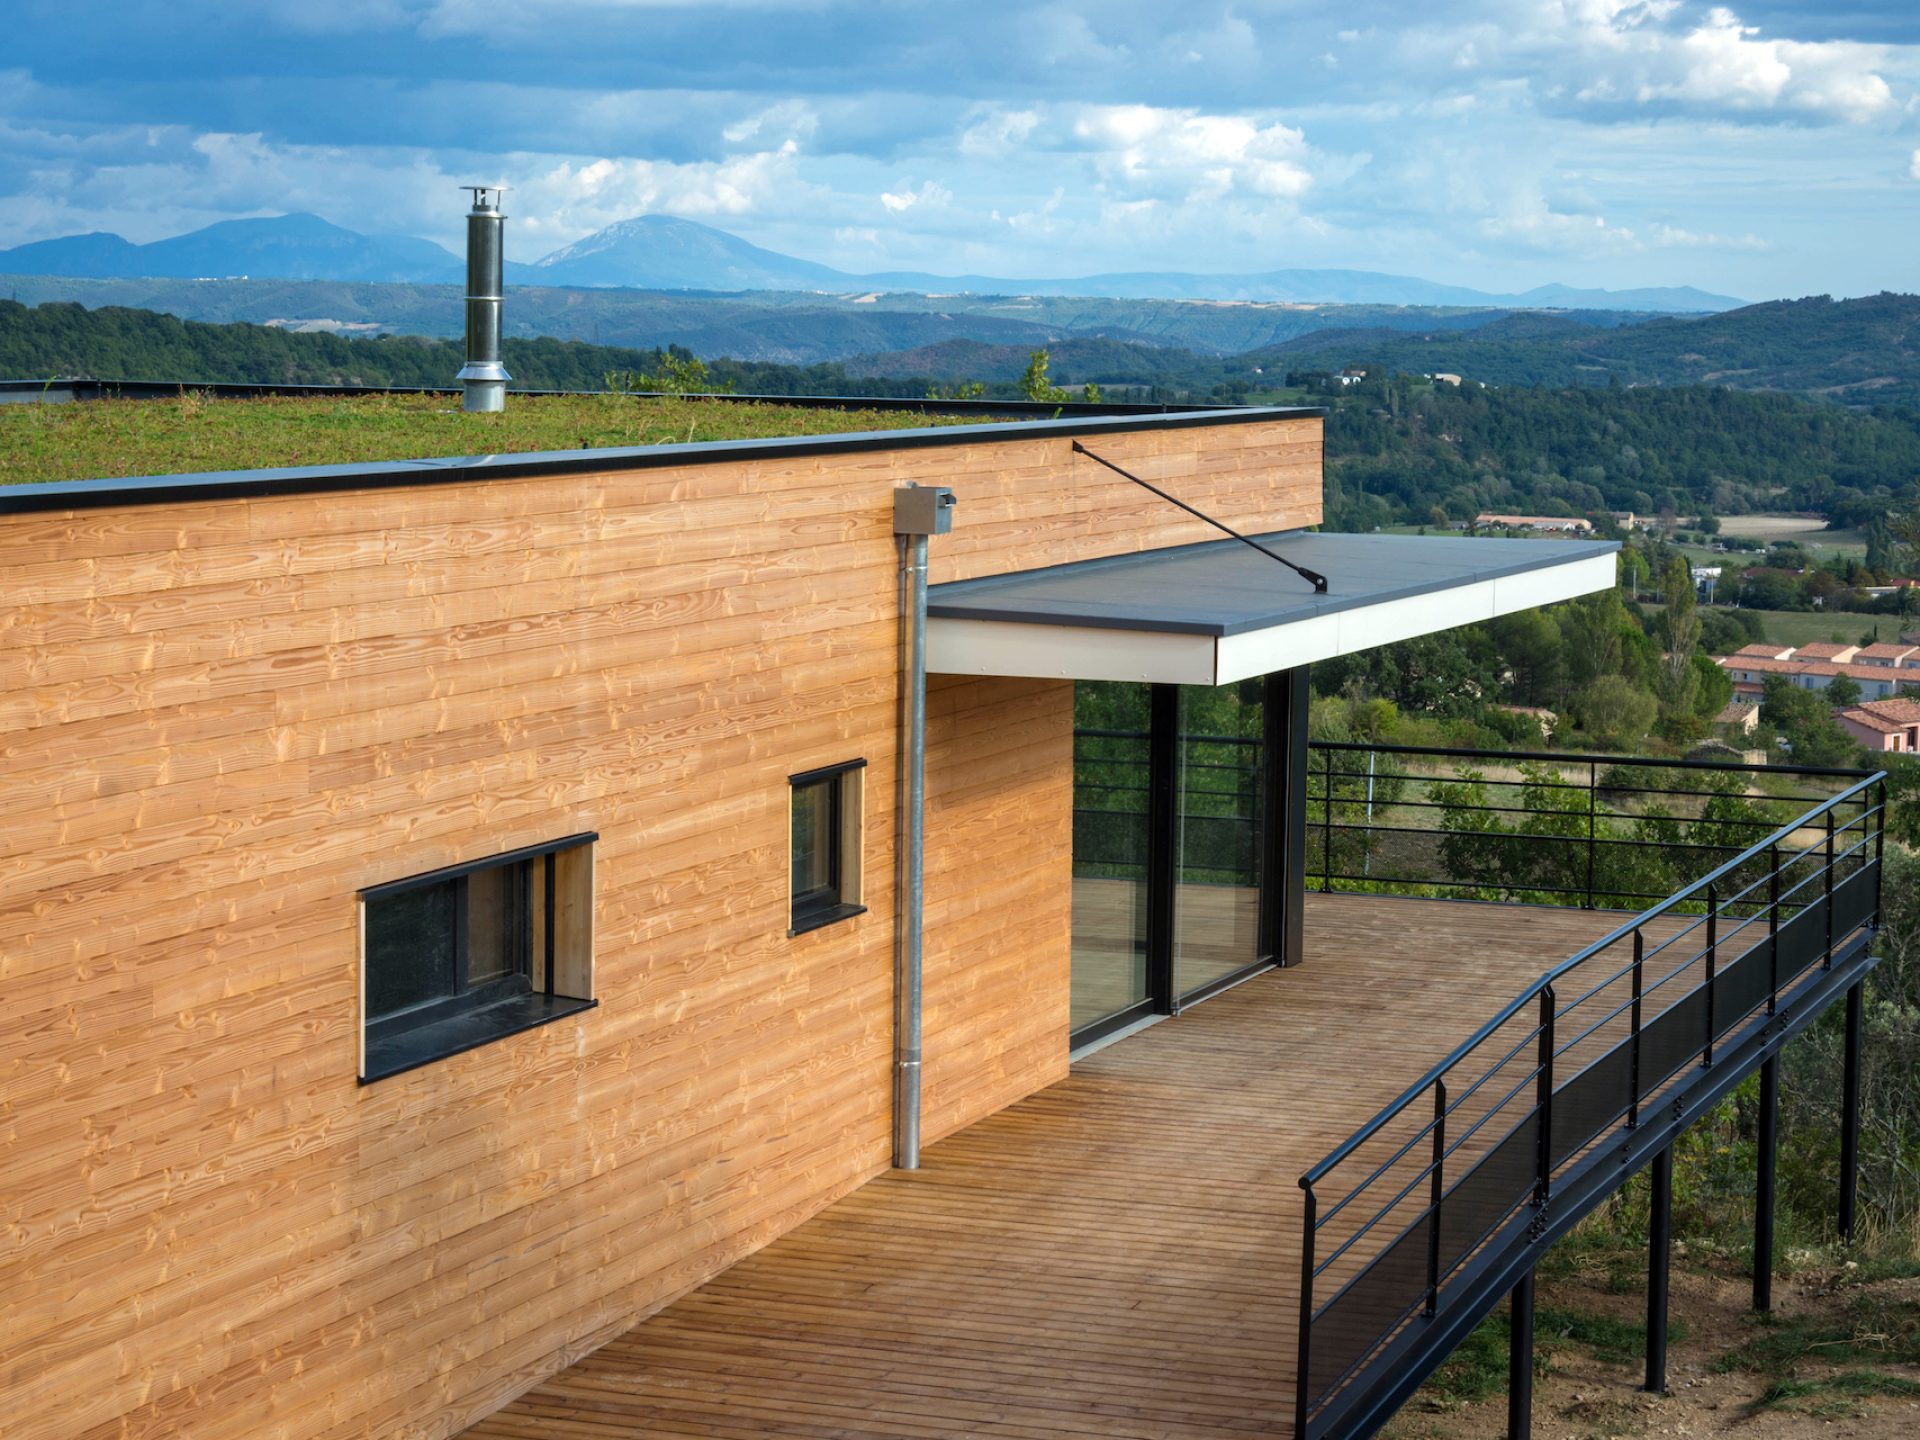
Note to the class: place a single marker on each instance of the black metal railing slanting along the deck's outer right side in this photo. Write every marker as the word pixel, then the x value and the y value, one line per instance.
pixel 1474 1149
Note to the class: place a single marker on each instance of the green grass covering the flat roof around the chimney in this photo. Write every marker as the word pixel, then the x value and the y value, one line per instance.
pixel 108 439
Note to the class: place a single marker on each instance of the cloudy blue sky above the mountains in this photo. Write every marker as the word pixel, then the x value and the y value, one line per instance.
pixel 1762 151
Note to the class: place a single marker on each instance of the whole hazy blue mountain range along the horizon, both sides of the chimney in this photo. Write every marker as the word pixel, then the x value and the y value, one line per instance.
pixel 663 252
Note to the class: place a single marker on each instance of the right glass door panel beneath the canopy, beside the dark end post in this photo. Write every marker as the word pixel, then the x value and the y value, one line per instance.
pixel 1220 788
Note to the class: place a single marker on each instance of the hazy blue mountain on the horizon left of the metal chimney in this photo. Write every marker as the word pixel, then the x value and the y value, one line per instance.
pixel 283 247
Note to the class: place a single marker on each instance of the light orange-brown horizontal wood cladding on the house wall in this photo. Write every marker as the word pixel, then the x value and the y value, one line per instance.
pixel 224 719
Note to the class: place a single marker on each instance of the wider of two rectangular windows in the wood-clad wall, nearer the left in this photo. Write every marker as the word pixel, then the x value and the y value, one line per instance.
pixel 473 953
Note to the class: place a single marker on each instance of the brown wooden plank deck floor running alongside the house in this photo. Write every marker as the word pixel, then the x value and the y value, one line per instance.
pixel 1116 1257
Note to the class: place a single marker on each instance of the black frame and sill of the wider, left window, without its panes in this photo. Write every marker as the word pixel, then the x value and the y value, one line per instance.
pixel 469 1015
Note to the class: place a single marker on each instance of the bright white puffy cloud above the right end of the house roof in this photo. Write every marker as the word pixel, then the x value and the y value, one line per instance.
pixel 1195 156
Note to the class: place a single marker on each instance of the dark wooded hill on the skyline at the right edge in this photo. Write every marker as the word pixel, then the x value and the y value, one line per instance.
pixel 1860 352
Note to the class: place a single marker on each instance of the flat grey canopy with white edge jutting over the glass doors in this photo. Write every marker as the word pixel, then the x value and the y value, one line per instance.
pixel 1207 615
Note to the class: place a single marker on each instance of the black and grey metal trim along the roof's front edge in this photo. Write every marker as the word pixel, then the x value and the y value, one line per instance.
pixel 464 469
